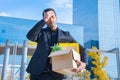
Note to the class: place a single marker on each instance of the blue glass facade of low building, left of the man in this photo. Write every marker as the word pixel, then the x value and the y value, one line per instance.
pixel 14 29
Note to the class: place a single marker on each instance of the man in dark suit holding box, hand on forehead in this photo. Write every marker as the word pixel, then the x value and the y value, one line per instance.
pixel 40 67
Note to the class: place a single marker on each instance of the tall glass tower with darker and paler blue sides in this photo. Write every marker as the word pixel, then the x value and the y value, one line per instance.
pixel 104 16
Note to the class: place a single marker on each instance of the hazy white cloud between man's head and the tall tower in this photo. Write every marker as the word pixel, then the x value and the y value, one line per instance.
pixel 63 9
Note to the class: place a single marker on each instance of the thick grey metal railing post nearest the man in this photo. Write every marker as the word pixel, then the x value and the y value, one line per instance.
pixel 24 60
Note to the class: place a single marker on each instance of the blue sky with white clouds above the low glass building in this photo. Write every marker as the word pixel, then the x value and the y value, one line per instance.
pixel 32 9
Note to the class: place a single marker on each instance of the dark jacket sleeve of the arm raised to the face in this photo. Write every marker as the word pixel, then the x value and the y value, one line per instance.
pixel 34 32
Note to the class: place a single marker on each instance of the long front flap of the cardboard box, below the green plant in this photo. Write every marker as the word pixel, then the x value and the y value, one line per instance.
pixel 61 52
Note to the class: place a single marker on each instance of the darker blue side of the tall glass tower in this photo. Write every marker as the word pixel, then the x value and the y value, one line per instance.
pixel 85 13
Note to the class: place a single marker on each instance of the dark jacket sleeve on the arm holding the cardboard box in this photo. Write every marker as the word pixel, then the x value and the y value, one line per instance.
pixel 83 51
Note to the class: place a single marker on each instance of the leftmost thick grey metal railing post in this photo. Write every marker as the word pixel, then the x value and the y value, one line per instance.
pixel 6 59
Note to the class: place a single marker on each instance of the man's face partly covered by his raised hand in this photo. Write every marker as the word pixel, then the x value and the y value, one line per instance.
pixel 50 17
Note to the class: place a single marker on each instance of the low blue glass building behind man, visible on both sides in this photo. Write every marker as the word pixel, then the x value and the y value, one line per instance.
pixel 15 29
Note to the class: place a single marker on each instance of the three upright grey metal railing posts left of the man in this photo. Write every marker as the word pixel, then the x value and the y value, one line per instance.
pixel 6 60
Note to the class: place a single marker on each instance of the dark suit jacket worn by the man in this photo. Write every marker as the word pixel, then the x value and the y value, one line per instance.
pixel 40 35
